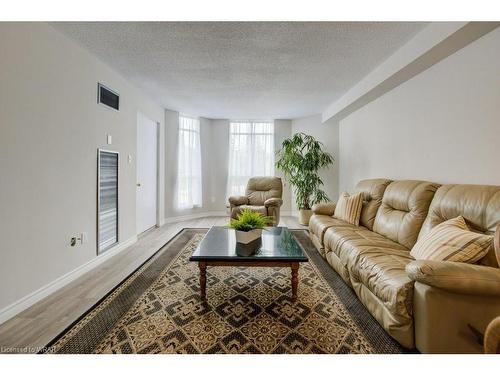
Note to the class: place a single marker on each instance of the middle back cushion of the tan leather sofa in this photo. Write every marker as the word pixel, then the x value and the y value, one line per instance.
pixel 403 210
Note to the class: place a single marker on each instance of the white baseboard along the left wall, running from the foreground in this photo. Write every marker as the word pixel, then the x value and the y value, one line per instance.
pixel 15 308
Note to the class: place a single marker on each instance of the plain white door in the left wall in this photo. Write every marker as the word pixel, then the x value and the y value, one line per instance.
pixel 146 173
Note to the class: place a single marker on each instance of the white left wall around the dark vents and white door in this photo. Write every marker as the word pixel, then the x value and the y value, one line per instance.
pixel 50 129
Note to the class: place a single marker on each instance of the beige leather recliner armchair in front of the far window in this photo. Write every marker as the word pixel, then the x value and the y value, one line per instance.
pixel 263 195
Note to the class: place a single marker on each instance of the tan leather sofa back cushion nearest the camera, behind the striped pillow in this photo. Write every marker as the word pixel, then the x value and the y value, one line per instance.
pixel 479 205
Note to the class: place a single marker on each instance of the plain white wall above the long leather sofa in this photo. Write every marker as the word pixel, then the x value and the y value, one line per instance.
pixel 443 125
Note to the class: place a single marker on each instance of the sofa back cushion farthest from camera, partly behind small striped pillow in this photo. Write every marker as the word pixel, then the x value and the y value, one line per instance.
pixel 373 191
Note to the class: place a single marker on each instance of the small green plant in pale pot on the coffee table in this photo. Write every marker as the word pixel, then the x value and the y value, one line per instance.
pixel 248 226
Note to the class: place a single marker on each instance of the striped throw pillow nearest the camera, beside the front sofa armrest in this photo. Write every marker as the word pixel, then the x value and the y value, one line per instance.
pixel 452 241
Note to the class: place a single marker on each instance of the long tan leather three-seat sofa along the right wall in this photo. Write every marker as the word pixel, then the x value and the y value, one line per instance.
pixel 424 304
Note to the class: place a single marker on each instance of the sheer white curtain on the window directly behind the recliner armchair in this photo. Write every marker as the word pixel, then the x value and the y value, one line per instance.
pixel 251 153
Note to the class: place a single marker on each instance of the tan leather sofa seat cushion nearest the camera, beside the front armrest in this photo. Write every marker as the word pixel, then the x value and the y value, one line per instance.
pixel 382 271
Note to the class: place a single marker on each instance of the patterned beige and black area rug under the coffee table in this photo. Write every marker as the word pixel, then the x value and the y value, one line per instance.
pixel 157 309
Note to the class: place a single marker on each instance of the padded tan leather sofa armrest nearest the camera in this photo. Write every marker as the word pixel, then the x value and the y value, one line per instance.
pixel 456 277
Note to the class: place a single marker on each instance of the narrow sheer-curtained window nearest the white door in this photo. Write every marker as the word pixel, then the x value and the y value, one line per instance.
pixel 189 164
